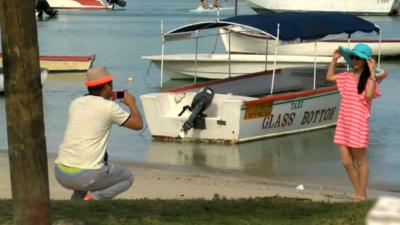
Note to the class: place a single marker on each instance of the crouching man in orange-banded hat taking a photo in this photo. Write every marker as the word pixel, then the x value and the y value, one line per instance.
pixel 82 164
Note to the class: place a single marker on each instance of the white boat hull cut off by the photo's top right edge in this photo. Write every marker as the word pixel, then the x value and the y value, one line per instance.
pixel 358 7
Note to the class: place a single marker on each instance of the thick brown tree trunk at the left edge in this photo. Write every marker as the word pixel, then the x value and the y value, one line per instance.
pixel 24 111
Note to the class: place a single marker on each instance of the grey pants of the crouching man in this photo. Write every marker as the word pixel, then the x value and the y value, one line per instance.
pixel 103 183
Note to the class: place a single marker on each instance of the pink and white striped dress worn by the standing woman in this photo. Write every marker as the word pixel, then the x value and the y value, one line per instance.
pixel 352 125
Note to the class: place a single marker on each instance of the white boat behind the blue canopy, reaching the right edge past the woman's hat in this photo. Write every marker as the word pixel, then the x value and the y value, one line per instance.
pixel 242 42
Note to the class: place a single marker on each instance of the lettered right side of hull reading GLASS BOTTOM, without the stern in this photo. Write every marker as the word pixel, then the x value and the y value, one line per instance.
pixel 292 115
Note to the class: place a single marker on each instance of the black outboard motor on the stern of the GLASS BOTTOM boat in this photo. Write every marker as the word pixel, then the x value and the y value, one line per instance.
pixel 201 101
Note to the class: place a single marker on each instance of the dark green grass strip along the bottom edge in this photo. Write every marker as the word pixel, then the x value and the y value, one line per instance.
pixel 271 210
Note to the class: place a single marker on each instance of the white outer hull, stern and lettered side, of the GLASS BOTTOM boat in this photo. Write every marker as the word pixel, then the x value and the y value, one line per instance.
pixel 232 125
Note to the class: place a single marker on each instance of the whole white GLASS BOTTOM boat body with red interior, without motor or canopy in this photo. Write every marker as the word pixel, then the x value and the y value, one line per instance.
pixel 234 117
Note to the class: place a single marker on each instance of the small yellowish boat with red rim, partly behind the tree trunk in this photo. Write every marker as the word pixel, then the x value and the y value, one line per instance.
pixel 55 63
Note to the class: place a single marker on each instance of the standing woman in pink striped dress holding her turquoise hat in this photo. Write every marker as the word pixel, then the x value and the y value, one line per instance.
pixel 357 89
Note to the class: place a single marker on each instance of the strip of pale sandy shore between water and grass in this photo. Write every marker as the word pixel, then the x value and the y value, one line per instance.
pixel 158 182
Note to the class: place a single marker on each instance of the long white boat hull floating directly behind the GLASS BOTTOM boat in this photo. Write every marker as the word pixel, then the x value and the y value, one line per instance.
pixel 219 66
